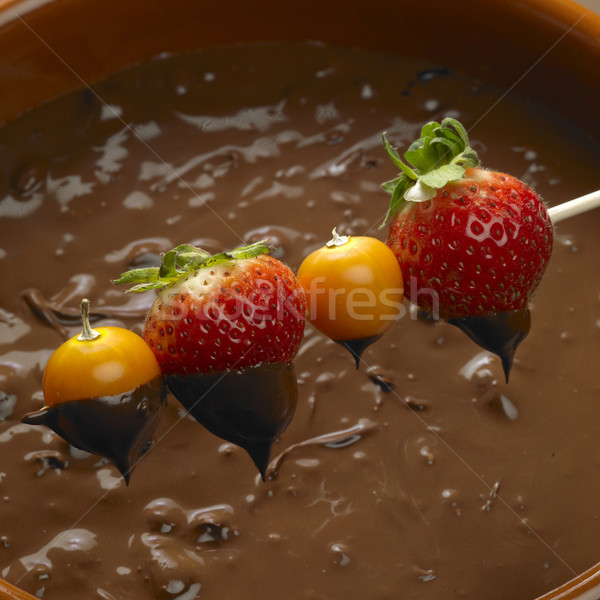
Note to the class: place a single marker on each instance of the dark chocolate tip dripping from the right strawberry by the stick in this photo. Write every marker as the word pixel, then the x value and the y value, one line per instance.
pixel 500 333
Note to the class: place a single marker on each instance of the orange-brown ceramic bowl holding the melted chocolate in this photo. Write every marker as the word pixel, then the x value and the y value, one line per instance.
pixel 547 49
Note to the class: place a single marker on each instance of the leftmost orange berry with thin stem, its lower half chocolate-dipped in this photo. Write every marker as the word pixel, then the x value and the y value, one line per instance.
pixel 103 393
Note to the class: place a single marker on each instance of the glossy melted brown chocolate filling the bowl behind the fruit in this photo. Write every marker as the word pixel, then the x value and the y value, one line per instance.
pixel 420 475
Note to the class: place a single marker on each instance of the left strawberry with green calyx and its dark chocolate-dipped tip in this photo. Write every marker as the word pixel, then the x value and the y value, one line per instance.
pixel 225 329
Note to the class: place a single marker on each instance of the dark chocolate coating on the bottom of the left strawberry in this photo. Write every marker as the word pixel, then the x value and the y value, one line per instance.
pixel 249 407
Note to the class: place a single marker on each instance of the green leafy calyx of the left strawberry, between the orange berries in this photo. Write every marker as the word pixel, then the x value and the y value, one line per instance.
pixel 181 261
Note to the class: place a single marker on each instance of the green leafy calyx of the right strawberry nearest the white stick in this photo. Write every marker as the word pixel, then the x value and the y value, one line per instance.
pixel 439 156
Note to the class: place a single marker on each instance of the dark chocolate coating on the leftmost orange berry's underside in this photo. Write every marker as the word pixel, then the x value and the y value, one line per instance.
pixel 118 427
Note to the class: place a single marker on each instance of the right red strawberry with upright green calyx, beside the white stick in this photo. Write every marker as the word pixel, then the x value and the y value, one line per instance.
pixel 471 243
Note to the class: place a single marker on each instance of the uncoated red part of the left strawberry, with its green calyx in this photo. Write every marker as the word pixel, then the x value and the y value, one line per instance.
pixel 214 313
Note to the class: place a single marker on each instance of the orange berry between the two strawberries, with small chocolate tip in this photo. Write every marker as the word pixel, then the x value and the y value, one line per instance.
pixel 354 290
